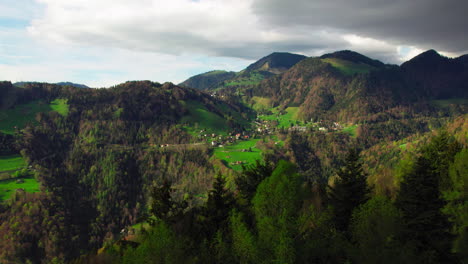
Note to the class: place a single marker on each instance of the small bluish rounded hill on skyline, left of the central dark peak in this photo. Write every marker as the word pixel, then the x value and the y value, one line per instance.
pixel 208 80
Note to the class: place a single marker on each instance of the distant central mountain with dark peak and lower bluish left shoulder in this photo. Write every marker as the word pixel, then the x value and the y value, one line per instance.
pixel 275 63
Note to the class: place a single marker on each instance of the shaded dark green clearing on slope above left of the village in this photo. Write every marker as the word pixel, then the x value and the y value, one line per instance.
pixel 202 118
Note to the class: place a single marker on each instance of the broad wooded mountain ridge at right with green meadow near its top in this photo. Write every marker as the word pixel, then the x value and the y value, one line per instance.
pixel 348 86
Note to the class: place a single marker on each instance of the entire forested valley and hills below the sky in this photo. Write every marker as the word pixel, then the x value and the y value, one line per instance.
pixel 331 159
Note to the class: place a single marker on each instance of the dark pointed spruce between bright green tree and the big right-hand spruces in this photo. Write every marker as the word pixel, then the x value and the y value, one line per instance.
pixel 349 191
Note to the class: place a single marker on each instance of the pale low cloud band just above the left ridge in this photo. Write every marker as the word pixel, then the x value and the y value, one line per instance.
pixel 104 67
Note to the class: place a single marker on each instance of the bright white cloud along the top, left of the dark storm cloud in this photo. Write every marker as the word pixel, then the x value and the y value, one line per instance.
pixel 209 27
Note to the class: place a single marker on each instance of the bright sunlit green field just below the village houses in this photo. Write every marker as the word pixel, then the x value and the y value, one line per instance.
pixel 233 153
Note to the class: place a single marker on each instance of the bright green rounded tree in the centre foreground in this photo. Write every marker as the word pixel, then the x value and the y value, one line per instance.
pixel 277 205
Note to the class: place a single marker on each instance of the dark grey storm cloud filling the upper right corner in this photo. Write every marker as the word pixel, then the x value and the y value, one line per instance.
pixel 439 24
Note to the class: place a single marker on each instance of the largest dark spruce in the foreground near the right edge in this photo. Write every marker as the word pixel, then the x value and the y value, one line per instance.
pixel 420 201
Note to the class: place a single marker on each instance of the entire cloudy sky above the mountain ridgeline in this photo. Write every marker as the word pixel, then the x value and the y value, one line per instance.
pixel 106 42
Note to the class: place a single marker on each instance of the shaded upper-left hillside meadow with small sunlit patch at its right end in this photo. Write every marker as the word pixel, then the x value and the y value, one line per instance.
pixel 23 114
